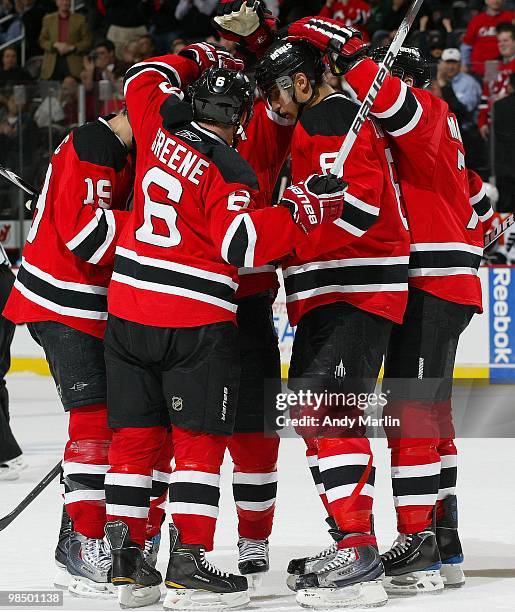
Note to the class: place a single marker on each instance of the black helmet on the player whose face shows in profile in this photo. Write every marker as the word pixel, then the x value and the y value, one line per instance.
pixel 282 61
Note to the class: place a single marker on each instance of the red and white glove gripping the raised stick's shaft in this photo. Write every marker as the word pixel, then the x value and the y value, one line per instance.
pixel 318 199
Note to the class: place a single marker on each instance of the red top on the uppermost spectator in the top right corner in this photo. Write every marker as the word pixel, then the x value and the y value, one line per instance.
pixel 482 37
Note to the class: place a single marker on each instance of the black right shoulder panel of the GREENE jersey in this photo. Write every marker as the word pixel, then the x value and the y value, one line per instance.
pixel 231 165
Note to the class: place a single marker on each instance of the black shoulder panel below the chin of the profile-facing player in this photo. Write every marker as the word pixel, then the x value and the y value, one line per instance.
pixel 331 117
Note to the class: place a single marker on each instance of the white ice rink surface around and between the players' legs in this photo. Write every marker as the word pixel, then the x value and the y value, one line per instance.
pixel 486 495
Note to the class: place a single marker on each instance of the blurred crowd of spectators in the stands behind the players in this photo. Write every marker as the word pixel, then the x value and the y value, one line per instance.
pixel 470 46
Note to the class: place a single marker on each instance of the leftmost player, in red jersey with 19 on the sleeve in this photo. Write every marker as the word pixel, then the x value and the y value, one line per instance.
pixel 61 293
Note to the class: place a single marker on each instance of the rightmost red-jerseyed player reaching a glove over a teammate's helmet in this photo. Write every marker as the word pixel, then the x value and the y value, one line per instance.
pixel 444 211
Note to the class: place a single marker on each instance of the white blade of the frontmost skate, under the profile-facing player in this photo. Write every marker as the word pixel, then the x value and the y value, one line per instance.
pixel 363 595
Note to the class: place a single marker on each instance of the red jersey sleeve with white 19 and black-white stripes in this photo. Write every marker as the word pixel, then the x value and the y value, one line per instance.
pixel 88 230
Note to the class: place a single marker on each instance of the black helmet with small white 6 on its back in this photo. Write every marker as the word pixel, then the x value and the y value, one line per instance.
pixel 222 96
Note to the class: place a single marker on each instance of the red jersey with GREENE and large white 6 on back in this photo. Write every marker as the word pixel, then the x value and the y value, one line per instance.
pixel 176 261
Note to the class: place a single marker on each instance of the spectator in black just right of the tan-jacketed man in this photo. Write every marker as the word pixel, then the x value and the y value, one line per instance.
pixel 126 19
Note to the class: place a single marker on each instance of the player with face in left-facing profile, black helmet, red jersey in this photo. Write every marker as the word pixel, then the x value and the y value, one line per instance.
pixel 344 292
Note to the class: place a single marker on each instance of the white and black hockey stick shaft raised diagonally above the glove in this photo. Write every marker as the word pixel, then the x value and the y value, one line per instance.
pixel 366 105
